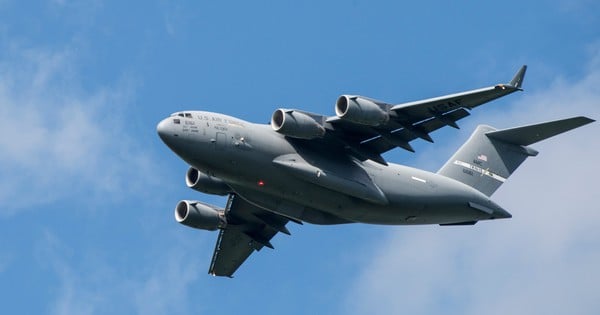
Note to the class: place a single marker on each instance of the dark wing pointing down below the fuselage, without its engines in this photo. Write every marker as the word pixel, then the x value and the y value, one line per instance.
pixel 249 228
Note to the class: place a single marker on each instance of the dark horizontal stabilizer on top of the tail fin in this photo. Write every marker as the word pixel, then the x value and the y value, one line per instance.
pixel 534 133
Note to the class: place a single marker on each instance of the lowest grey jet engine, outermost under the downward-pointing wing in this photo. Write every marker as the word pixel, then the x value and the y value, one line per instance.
pixel 200 215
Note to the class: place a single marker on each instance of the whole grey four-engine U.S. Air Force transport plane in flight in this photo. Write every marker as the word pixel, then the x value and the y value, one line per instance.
pixel 307 167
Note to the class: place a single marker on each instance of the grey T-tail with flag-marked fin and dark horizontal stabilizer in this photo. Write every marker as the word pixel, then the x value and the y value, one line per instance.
pixel 490 156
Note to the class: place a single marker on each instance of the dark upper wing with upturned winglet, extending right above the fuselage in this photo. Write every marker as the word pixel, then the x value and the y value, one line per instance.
pixel 409 121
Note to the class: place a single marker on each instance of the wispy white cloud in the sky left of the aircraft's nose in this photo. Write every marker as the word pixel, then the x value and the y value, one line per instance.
pixel 58 139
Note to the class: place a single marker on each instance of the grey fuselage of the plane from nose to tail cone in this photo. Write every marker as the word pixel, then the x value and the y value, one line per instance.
pixel 316 180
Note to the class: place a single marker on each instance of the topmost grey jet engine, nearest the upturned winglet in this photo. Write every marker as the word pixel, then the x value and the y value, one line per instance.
pixel 360 110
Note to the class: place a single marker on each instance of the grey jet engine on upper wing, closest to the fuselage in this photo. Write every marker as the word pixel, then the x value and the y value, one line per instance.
pixel 296 124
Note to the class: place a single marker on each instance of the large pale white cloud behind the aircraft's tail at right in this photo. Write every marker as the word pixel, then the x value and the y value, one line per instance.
pixel 544 260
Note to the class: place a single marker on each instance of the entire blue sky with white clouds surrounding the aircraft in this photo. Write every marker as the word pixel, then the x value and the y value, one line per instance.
pixel 87 189
